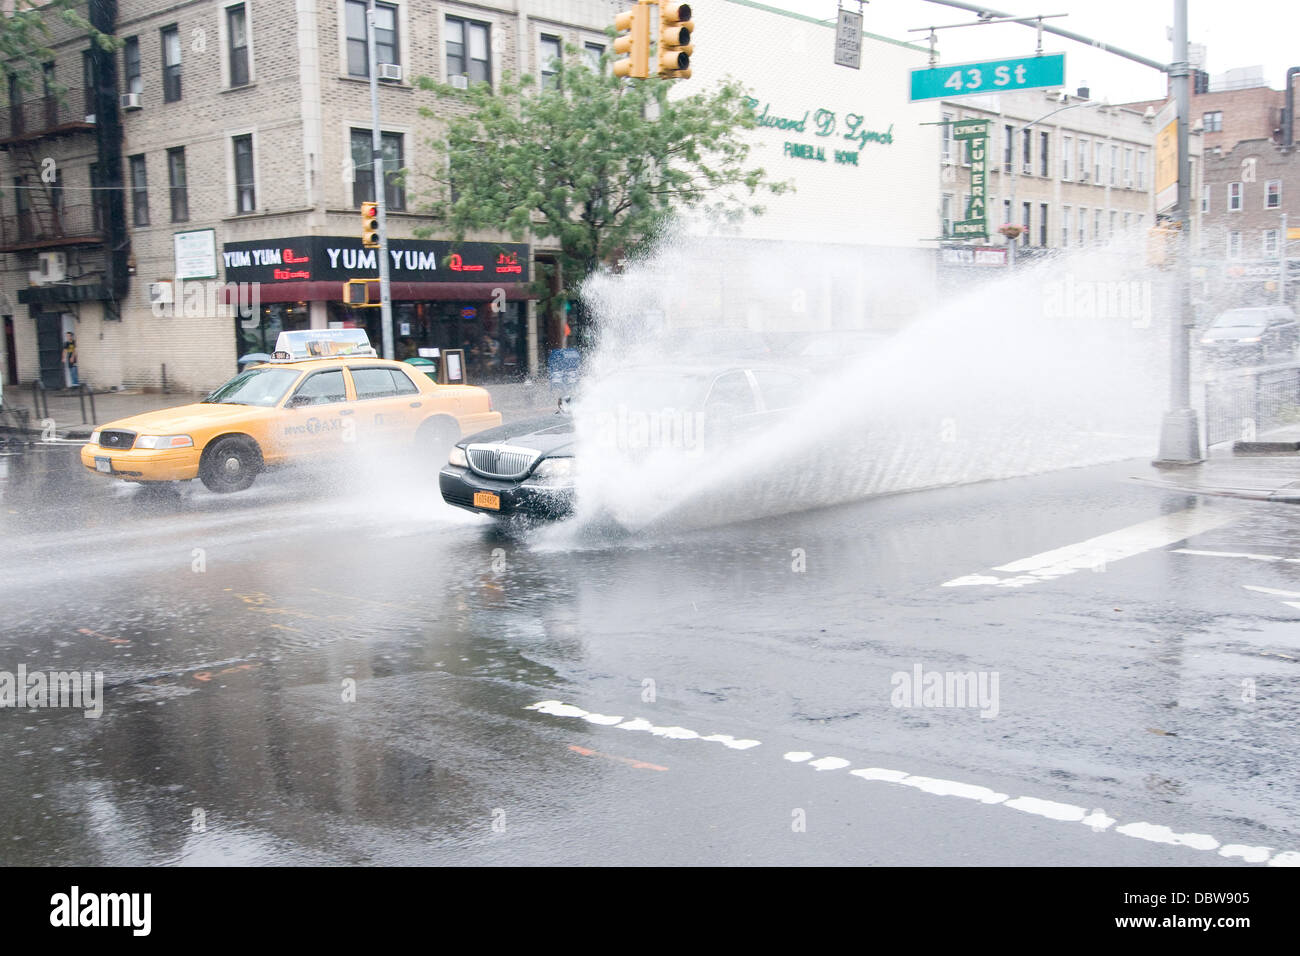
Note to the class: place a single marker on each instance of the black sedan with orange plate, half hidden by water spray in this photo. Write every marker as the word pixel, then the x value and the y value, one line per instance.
pixel 530 468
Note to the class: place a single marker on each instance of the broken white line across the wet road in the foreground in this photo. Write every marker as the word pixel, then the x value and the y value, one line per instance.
pixel 1098 821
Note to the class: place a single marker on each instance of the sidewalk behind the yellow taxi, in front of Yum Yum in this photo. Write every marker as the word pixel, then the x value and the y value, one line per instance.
pixel 514 401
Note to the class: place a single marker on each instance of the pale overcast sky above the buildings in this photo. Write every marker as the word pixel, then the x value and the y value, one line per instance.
pixel 1237 33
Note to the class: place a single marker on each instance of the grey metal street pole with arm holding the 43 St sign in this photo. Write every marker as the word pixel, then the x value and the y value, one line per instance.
pixel 1180 432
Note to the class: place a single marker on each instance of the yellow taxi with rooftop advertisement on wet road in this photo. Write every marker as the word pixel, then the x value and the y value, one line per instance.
pixel 288 410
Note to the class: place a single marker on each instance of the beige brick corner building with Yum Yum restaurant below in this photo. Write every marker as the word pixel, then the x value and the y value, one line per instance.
pixel 179 202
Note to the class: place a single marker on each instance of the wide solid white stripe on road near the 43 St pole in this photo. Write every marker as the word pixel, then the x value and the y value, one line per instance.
pixel 1102 551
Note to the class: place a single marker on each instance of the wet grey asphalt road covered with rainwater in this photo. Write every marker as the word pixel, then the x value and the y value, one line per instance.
pixel 343 669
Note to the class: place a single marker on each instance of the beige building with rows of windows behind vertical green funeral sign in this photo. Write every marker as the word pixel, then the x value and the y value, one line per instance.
pixel 1069 170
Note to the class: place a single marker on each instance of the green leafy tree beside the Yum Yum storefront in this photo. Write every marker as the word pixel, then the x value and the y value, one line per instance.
pixel 593 163
